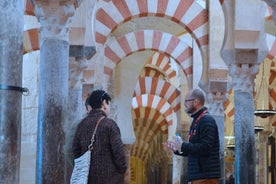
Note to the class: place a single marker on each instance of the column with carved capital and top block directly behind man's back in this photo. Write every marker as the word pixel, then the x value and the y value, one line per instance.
pixel 216 99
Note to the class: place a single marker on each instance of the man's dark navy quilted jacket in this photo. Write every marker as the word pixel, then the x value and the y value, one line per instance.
pixel 202 149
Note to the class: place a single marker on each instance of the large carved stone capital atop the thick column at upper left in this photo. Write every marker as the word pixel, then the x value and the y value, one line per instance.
pixel 55 17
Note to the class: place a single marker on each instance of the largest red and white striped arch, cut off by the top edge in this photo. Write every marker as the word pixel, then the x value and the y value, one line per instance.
pixel 192 16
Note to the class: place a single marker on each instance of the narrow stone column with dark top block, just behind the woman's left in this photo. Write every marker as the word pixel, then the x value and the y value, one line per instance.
pixel 77 64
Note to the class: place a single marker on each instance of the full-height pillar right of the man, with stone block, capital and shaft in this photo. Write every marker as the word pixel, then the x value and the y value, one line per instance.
pixel 243 49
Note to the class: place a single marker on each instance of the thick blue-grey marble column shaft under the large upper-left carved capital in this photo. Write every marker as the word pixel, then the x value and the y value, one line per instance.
pixel 53 94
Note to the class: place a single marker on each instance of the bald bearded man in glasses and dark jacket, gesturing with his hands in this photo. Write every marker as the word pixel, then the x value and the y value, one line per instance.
pixel 202 145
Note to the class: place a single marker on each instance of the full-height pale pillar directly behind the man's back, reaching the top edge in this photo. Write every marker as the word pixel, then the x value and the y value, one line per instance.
pixel 217 74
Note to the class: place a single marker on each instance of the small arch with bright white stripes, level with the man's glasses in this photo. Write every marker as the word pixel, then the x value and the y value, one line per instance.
pixel 156 103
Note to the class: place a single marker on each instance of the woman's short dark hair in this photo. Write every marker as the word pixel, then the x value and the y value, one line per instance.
pixel 97 97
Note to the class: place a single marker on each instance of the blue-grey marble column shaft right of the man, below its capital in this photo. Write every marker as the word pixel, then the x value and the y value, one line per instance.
pixel 244 138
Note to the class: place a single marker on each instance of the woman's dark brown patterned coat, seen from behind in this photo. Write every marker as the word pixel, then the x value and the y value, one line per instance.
pixel 108 160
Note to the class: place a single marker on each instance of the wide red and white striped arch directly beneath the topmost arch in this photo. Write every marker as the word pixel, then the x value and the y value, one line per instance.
pixel 148 40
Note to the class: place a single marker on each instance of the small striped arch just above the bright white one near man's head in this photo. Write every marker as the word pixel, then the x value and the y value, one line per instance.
pixel 159 87
